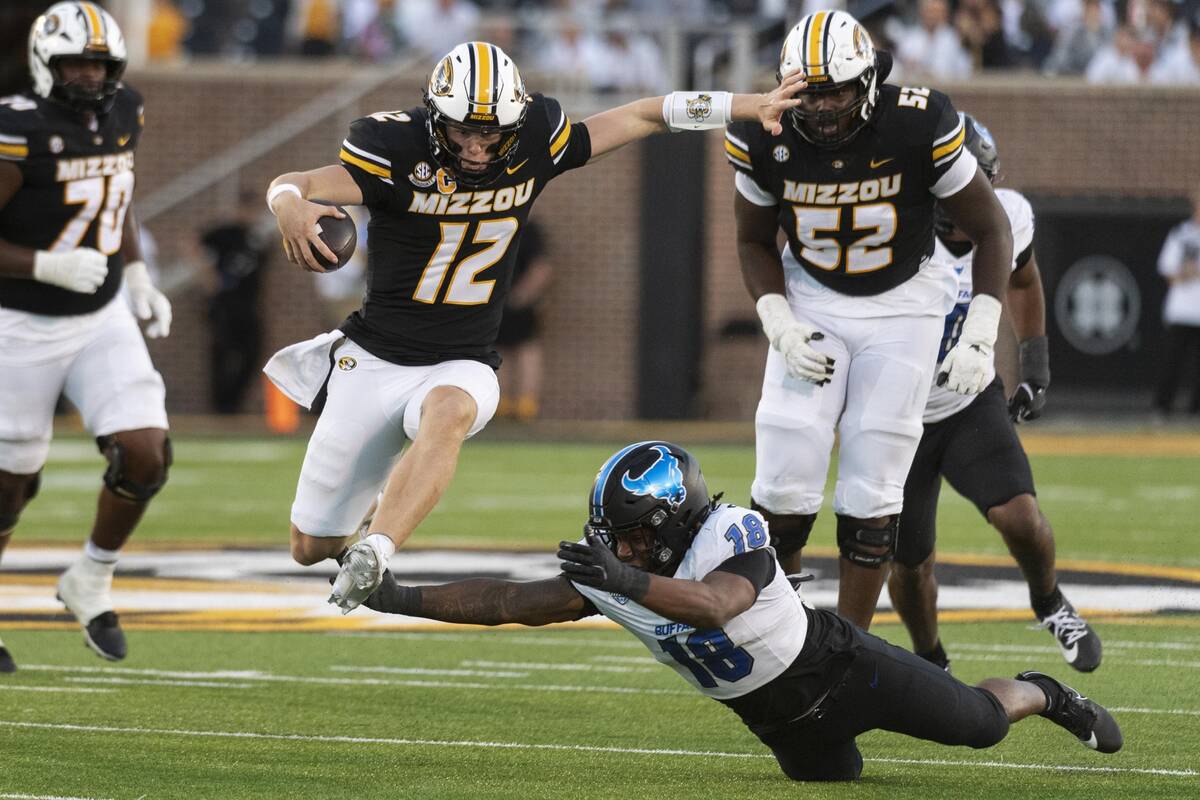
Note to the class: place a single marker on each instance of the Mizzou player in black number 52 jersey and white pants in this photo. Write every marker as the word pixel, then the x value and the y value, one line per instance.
pixel 854 306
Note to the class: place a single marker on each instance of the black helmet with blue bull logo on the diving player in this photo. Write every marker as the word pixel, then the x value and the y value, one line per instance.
pixel 652 485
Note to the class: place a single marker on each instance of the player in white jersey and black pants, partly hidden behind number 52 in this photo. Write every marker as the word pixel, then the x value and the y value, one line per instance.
pixel 971 442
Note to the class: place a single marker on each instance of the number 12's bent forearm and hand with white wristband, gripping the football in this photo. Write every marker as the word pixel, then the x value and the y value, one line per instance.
pixel 290 200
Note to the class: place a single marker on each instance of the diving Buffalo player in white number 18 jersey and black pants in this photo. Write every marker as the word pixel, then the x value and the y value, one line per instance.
pixel 698 582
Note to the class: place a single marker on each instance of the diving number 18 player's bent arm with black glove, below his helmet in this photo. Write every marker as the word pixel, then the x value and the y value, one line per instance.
pixel 706 604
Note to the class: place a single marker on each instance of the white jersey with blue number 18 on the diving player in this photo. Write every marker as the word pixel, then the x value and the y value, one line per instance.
pixel 753 648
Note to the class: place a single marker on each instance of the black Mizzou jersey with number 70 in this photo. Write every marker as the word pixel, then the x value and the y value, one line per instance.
pixel 77 183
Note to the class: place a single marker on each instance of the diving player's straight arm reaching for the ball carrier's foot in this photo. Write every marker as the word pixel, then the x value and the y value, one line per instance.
pixel 482 601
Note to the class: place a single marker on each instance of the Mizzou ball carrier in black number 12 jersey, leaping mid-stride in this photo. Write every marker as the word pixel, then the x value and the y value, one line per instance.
pixel 449 185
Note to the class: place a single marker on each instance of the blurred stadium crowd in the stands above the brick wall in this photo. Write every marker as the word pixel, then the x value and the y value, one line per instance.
pixel 619 45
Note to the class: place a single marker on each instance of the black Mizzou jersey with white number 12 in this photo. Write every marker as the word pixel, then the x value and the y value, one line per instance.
pixel 440 261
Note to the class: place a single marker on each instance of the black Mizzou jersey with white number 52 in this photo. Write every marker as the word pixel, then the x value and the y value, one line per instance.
pixel 861 219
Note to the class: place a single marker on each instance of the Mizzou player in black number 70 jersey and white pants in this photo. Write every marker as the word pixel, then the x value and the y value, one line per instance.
pixel 68 243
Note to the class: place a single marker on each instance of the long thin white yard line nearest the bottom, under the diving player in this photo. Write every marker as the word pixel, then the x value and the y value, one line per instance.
pixel 587 749
